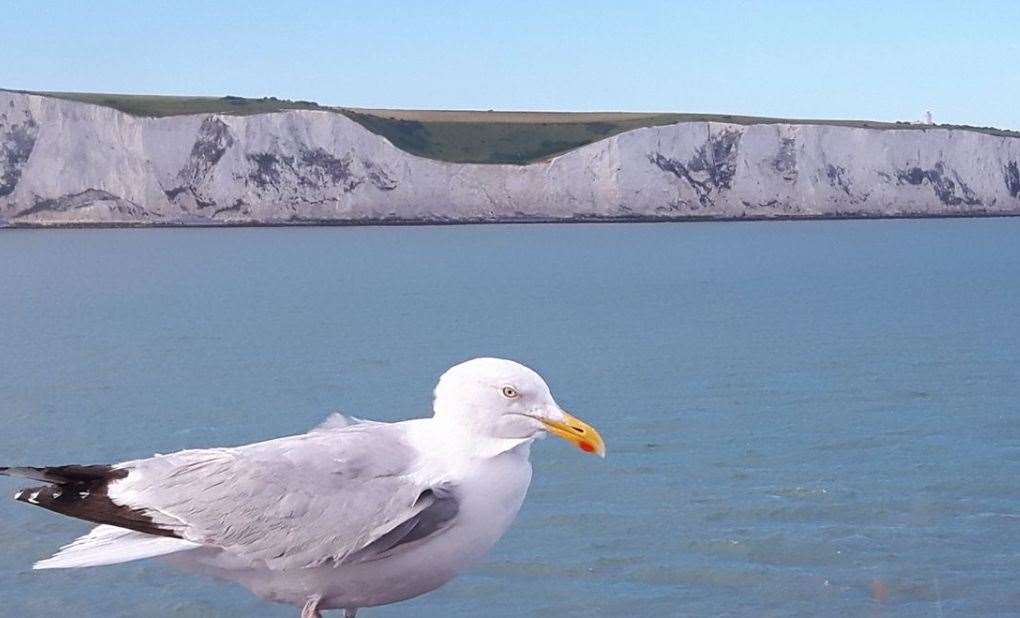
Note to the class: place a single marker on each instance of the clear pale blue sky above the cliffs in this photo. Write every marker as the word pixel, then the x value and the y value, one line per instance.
pixel 876 61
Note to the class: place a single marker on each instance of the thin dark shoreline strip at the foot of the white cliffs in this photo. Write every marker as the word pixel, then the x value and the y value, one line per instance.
pixel 412 223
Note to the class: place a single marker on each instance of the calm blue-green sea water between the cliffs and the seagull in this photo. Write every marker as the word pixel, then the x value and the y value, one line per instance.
pixel 803 419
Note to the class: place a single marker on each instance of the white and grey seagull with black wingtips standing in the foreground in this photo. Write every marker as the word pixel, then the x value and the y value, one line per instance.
pixel 349 516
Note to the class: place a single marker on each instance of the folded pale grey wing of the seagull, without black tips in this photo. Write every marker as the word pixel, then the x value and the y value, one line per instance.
pixel 329 497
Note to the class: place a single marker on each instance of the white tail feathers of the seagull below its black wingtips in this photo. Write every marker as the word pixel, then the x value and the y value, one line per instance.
pixel 111 545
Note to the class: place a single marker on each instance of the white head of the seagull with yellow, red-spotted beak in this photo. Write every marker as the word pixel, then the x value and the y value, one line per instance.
pixel 493 398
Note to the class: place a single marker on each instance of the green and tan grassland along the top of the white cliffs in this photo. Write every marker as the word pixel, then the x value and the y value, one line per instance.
pixel 467 137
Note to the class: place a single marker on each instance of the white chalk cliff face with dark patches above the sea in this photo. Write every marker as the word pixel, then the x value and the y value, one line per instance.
pixel 67 164
